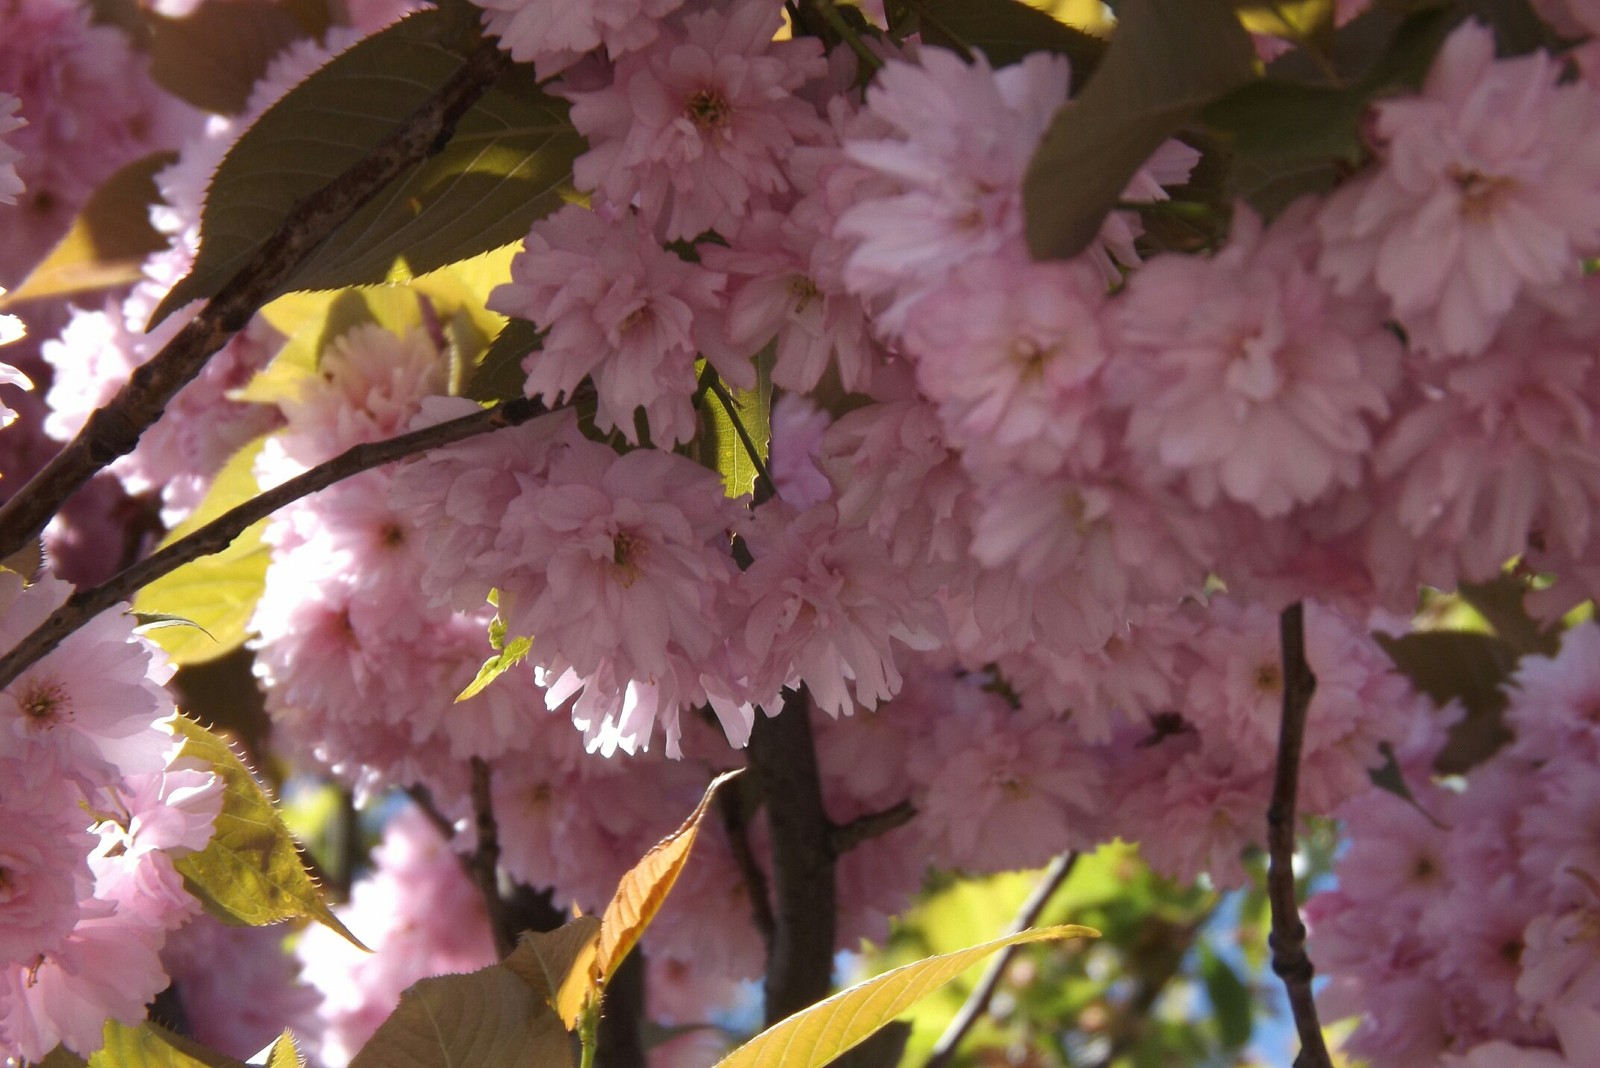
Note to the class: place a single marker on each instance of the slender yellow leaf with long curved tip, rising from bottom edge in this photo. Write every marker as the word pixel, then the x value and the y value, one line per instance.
pixel 818 1035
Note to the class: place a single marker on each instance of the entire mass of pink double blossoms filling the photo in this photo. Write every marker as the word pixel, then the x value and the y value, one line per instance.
pixel 991 565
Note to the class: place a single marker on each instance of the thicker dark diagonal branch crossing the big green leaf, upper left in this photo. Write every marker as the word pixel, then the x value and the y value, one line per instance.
pixel 116 429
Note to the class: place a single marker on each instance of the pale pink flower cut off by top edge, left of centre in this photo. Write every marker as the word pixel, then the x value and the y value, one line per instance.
pixel 553 36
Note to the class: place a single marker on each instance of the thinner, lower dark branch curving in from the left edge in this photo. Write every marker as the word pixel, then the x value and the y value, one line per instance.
pixel 220 533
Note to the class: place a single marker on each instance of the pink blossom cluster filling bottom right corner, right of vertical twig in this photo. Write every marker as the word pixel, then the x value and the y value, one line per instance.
pixel 1463 925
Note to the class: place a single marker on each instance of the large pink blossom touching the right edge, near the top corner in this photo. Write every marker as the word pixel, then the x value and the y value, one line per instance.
pixel 1489 186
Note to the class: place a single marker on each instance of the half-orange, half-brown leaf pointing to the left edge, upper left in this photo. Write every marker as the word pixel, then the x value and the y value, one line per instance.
pixel 108 242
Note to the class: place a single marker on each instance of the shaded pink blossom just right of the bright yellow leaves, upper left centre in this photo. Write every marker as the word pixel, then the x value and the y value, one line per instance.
pixel 620 308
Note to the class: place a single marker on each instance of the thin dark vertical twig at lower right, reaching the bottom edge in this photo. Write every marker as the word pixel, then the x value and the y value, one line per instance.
pixel 1287 941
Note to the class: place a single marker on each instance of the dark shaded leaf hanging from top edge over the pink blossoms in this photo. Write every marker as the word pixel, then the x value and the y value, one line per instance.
pixel 1167 60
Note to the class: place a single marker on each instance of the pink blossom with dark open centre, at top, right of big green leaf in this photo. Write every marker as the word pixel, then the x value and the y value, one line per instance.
pixel 695 127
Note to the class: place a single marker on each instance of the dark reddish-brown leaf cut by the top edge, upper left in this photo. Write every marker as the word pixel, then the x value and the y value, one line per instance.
pixel 215 57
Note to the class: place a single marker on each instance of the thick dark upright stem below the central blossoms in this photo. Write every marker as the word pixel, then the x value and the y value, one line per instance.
pixel 801 958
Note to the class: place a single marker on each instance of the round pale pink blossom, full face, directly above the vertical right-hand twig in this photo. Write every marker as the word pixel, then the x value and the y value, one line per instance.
pixel 1246 375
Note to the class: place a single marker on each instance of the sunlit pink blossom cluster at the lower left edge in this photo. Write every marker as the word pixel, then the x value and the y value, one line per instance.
pixel 97 803
